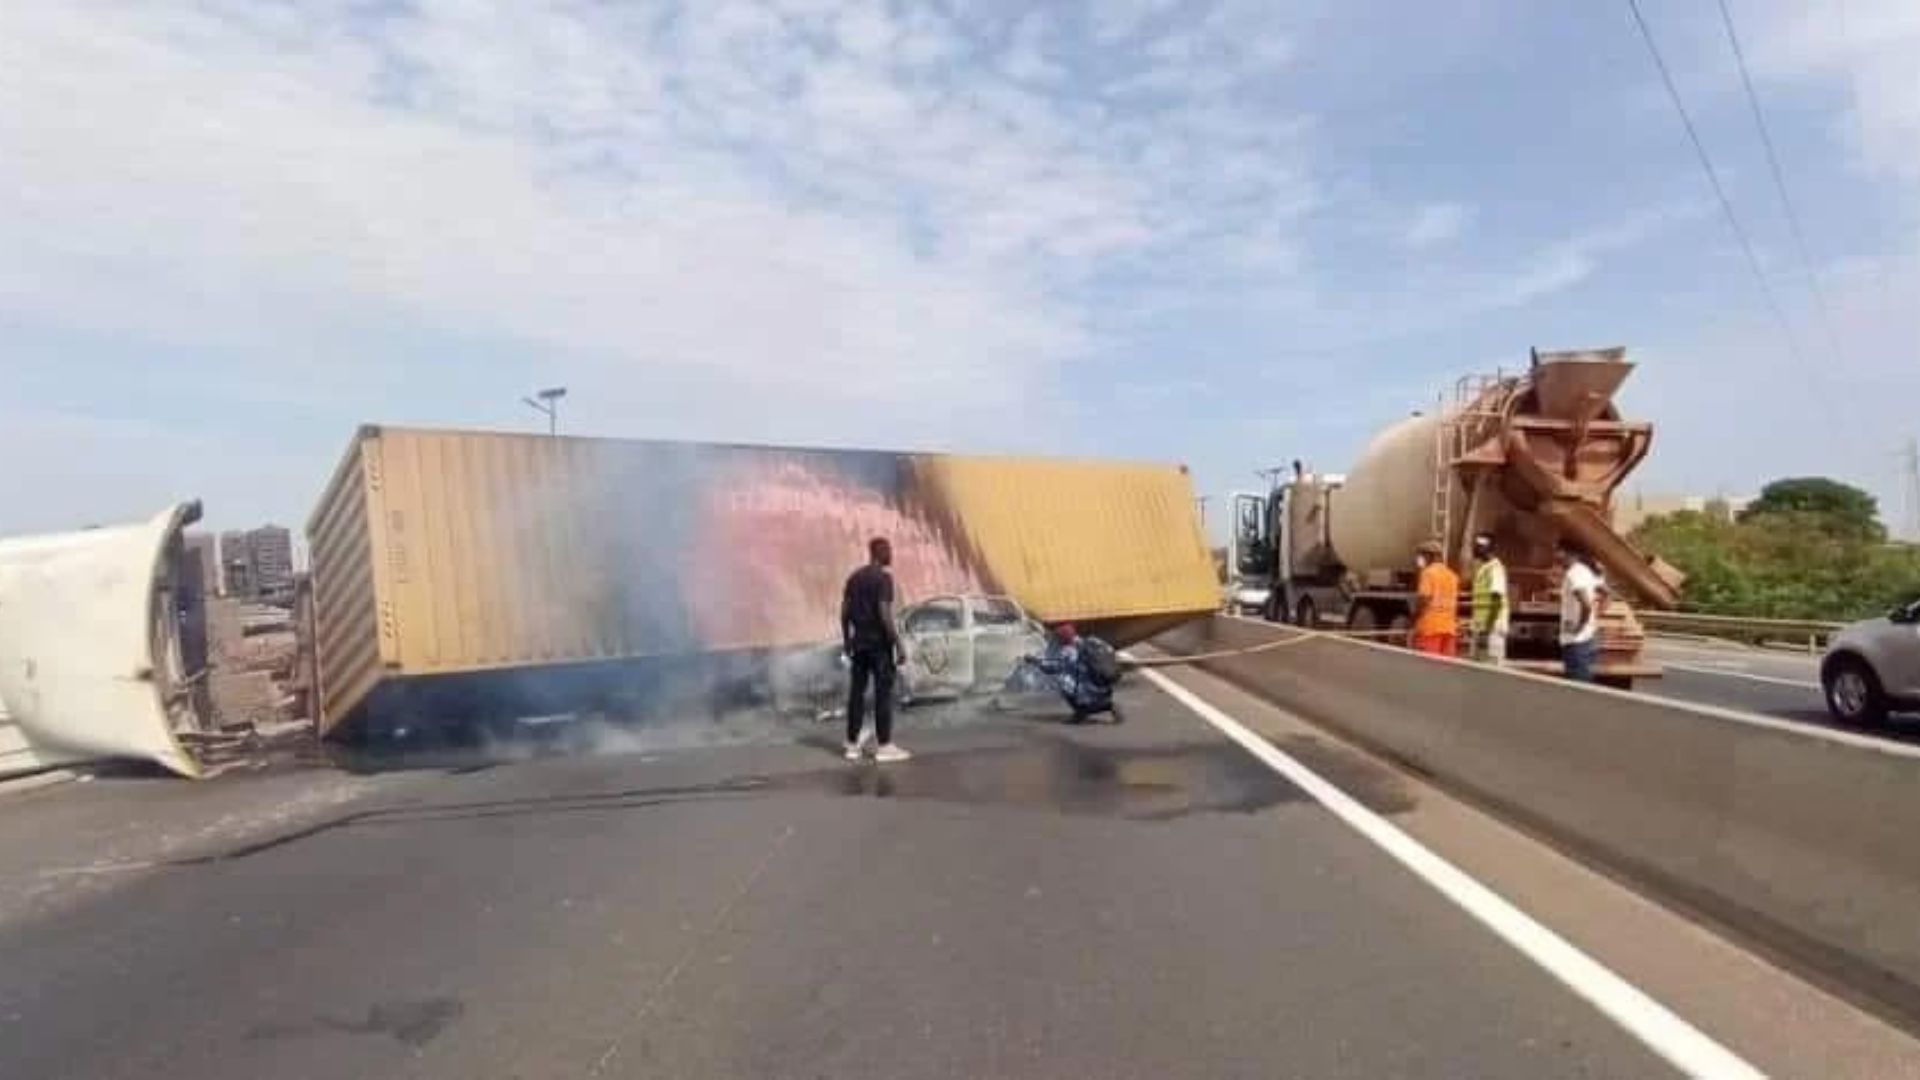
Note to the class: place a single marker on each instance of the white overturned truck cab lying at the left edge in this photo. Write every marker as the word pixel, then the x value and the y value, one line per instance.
pixel 93 660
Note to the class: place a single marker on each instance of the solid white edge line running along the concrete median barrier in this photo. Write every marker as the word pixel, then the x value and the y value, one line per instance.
pixel 1685 1046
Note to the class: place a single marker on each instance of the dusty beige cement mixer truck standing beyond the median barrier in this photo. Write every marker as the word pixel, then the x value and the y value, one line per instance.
pixel 1529 458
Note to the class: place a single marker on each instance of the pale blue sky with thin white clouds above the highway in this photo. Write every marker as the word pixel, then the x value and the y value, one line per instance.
pixel 1226 233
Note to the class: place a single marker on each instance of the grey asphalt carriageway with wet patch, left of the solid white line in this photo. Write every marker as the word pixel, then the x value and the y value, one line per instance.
pixel 1020 900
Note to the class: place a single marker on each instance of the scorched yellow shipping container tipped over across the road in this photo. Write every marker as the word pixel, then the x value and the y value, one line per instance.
pixel 469 576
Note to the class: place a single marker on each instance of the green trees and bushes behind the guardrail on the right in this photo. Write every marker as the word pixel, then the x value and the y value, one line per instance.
pixel 1806 549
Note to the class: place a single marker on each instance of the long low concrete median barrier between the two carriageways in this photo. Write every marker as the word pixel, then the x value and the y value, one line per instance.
pixel 1800 839
